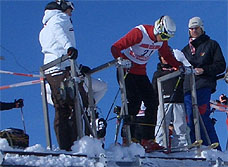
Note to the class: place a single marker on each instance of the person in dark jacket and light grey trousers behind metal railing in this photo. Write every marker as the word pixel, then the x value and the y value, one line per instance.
pixel 173 104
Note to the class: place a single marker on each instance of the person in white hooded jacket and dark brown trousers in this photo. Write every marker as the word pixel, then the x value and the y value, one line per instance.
pixel 57 38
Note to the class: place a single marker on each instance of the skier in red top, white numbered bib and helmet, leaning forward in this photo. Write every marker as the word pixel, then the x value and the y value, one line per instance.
pixel 137 46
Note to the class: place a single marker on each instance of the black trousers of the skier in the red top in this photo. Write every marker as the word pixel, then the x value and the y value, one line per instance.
pixel 138 89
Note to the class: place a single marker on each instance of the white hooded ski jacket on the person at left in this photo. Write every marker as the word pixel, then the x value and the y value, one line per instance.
pixel 56 37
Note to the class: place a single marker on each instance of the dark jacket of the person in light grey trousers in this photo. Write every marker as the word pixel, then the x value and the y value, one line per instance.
pixel 169 85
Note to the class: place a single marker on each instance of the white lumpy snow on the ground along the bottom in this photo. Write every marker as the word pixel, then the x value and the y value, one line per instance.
pixel 98 157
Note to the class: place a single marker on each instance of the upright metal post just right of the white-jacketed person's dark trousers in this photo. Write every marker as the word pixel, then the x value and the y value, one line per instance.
pixel 77 108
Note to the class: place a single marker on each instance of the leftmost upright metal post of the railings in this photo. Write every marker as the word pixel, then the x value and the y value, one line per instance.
pixel 45 111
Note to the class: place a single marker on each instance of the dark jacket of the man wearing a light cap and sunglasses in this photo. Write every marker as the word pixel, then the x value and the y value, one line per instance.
pixel 208 55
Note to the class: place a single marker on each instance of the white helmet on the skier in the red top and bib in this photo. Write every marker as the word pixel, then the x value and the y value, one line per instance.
pixel 166 26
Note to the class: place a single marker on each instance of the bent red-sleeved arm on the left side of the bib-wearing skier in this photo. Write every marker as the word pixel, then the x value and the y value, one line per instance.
pixel 131 38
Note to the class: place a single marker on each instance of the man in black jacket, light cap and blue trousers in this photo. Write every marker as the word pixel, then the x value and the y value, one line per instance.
pixel 205 55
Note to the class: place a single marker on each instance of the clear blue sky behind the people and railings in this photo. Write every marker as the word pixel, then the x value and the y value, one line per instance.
pixel 97 24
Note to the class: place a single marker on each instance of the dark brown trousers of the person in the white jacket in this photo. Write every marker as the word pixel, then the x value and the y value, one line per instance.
pixel 64 122
